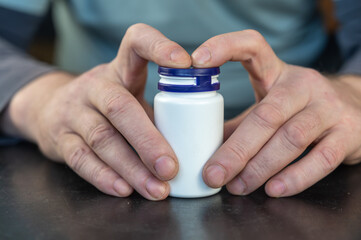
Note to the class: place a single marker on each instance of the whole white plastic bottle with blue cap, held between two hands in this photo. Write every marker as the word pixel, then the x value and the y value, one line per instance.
pixel 189 113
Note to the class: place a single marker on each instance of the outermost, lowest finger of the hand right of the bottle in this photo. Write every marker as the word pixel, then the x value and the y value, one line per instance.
pixel 317 164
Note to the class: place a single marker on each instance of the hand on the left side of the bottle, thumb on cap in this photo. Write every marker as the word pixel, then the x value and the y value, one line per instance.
pixel 93 121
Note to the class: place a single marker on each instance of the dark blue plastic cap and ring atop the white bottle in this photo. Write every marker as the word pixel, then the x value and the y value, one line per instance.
pixel 203 79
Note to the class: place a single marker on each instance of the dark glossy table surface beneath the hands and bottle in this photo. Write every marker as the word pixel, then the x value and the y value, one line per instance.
pixel 40 199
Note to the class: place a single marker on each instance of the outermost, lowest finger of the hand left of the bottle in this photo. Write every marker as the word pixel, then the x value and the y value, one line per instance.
pixel 87 165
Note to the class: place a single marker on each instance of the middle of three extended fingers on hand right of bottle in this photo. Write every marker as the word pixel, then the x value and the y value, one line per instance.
pixel 289 142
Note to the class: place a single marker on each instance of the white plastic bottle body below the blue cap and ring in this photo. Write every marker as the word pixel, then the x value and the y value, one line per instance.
pixel 192 123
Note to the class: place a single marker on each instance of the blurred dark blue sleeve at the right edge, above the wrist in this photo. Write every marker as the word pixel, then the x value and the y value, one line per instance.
pixel 348 13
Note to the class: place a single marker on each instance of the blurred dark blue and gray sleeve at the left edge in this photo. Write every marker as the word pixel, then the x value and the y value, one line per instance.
pixel 16 67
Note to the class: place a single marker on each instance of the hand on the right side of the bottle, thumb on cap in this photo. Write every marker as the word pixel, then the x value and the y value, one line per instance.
pixel 296 107
